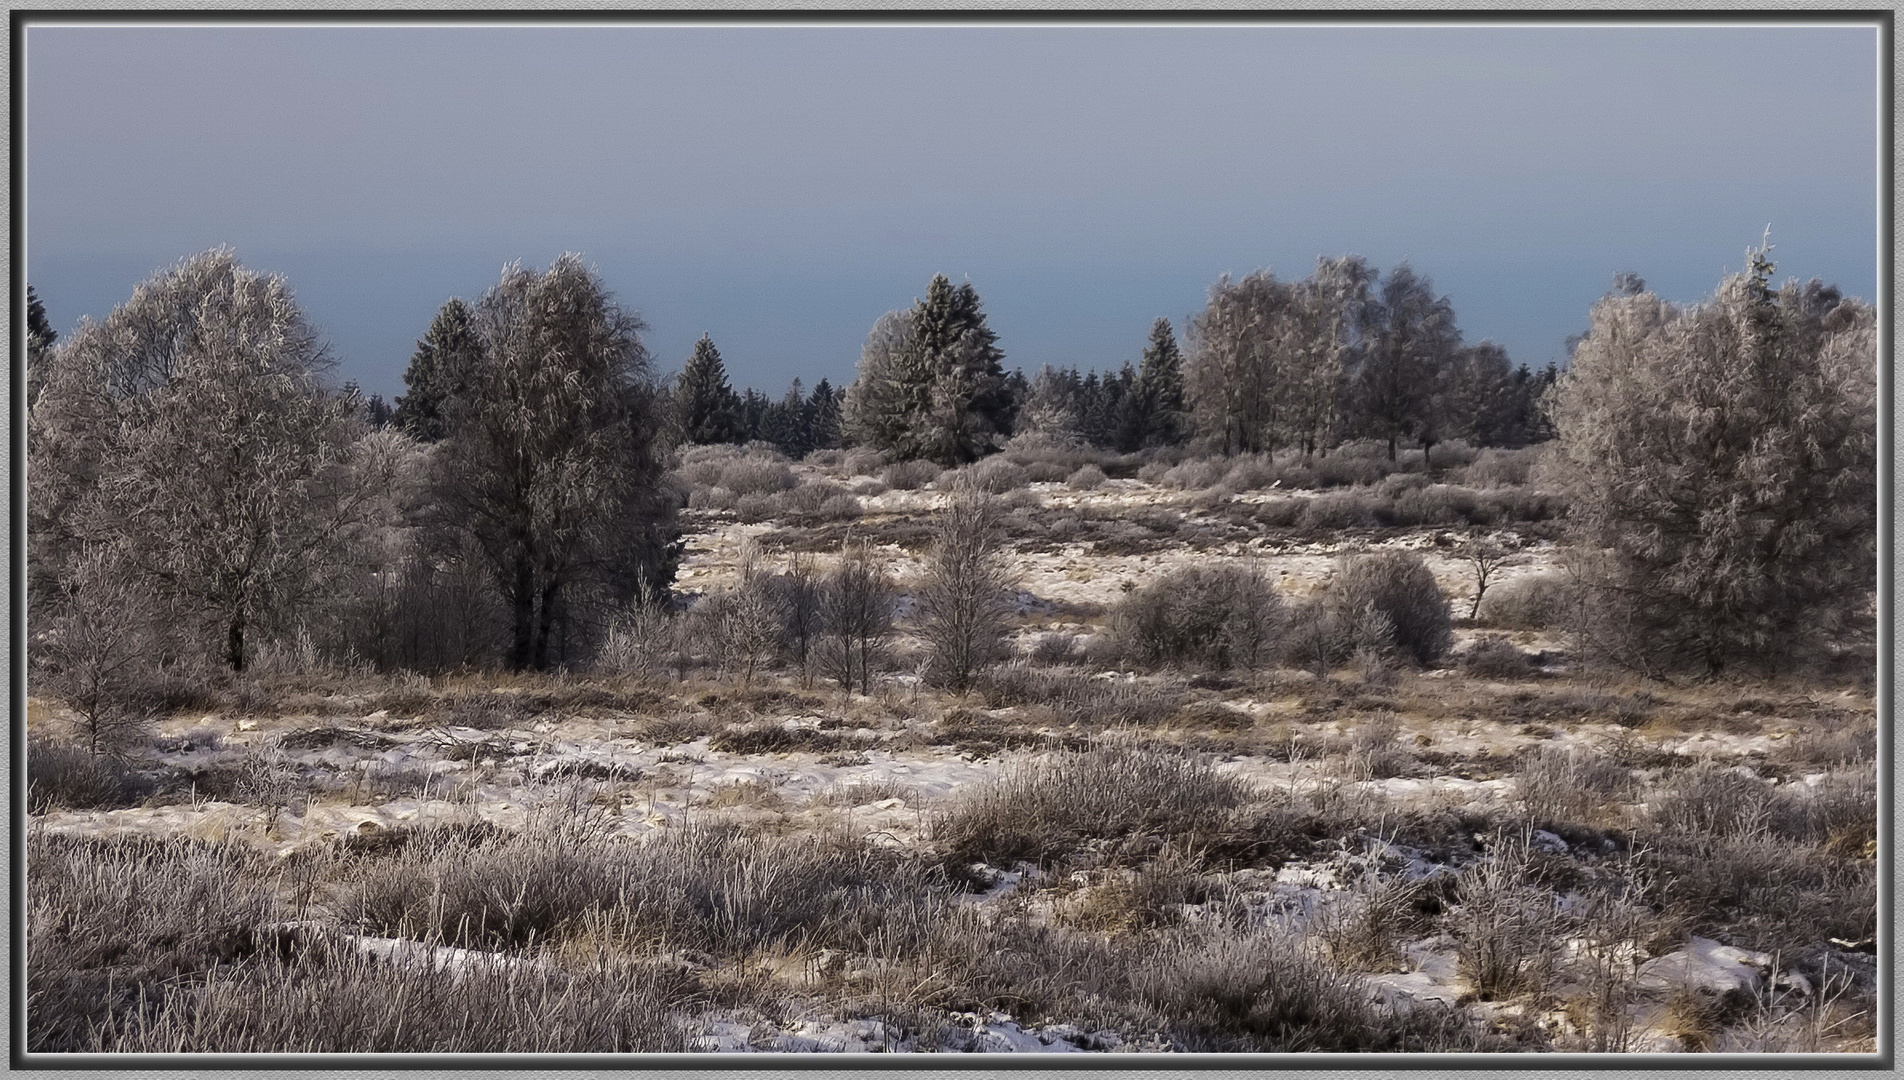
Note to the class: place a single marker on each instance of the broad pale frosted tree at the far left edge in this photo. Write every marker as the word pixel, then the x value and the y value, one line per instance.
pixel 191 428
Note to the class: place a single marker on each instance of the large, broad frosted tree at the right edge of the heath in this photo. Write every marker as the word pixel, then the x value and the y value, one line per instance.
pixel 1722 462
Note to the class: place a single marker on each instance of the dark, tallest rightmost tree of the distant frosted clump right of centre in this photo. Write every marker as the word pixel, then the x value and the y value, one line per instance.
pixel 1400 372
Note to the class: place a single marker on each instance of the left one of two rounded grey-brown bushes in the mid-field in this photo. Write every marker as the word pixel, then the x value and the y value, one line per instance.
pixel 1221 616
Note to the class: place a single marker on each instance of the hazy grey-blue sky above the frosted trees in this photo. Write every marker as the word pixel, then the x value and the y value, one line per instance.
pixel 782 188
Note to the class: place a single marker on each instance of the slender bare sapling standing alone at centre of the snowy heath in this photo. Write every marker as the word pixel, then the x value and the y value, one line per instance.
pixel 964 597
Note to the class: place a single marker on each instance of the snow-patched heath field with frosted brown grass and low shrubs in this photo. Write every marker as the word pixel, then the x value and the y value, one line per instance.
pixel 1505 850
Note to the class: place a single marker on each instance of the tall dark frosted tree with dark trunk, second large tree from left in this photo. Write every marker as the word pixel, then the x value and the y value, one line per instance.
pixel 551 466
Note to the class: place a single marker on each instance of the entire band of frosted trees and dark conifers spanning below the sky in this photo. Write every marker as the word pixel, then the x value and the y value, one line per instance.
pixel 199 485
